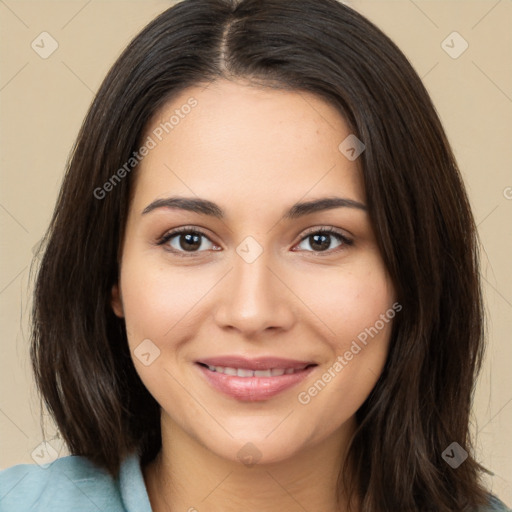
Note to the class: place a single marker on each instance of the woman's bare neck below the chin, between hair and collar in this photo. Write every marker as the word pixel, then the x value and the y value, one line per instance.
pixel 186 476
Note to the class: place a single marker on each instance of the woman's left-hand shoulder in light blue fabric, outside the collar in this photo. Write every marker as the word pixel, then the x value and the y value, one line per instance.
pixel 70 482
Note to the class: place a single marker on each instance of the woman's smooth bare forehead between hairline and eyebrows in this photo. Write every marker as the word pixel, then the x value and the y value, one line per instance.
pixel 246 146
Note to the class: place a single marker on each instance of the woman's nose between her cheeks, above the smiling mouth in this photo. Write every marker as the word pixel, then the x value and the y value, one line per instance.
pixel 254 299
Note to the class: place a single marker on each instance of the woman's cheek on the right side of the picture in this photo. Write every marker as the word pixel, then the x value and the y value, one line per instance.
pixel 356 309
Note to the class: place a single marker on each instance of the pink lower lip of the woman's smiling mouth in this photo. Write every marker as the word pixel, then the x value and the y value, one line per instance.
pixel 253 389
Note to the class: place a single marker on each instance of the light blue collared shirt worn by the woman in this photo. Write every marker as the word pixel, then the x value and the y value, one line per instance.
pixel 74 484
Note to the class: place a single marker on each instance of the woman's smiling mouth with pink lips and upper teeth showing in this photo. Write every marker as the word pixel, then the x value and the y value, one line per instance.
pixel 253 379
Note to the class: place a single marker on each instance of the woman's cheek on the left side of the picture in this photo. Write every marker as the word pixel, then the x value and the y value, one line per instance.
pixel 159 312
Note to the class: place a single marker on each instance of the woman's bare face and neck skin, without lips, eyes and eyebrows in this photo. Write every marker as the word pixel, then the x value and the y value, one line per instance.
pixel 255 152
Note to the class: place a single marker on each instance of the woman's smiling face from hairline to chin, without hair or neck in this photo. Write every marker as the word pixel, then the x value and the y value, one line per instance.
pixel 260 321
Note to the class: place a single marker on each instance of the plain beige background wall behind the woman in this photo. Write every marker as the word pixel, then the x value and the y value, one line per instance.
pixel 43 102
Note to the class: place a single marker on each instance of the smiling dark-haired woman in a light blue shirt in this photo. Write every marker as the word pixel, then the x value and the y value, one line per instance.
pixel 260 285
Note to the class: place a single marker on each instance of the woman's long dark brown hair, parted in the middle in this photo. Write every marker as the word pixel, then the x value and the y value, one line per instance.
pixel 417 204
